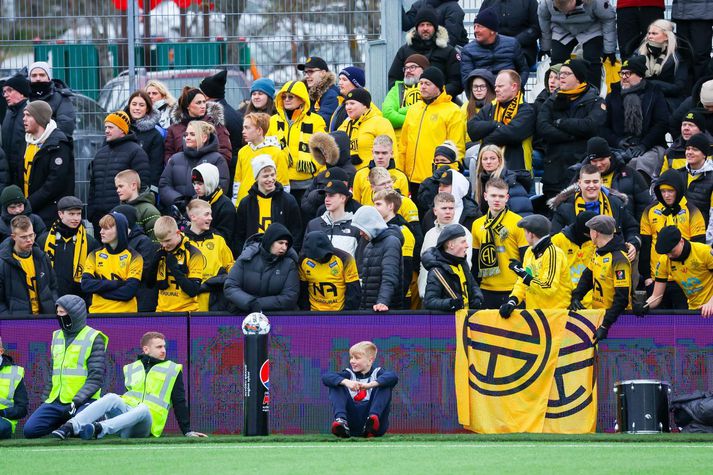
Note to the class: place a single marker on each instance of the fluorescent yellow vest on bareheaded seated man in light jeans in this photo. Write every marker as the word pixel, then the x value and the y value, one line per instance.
pixel 152 389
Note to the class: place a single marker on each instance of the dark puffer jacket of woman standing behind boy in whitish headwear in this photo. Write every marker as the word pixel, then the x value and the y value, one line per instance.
pixel 175 183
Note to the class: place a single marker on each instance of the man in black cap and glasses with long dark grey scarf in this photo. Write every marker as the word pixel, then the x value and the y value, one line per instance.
pixel 637 124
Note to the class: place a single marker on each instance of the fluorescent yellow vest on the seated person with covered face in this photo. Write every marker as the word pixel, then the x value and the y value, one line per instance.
pixel 69 364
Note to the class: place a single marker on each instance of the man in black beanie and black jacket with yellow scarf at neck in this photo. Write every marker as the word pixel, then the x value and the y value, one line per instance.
pixel 565 122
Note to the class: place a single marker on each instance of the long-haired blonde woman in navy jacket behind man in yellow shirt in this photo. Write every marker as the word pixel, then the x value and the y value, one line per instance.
pixel 491 164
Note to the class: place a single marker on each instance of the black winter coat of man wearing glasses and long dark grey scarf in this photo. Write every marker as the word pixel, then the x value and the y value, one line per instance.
pixel 653 109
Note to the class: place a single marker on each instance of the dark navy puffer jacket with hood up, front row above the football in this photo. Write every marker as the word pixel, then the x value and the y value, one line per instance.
pixel 261 281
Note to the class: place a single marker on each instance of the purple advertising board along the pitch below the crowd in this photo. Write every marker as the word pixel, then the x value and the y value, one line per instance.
pixel 419 347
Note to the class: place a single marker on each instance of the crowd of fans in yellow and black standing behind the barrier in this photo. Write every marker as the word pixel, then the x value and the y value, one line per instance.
pixel 314 197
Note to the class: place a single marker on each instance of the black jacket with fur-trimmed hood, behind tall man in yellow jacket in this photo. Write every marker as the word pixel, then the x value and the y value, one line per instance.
pixel 439 53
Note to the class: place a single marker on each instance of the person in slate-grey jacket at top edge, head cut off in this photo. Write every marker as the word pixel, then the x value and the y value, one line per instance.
pixel 568 23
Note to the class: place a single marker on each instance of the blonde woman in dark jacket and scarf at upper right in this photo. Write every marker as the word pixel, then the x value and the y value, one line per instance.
pixel 667 61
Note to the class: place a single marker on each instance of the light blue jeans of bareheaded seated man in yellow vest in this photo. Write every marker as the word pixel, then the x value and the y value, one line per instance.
pixel 129 422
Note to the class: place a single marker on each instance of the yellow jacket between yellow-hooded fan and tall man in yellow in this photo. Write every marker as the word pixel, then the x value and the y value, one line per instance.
pixel 362 133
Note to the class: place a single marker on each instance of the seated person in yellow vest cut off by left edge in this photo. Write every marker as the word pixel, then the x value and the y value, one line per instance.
pixel 13 394
